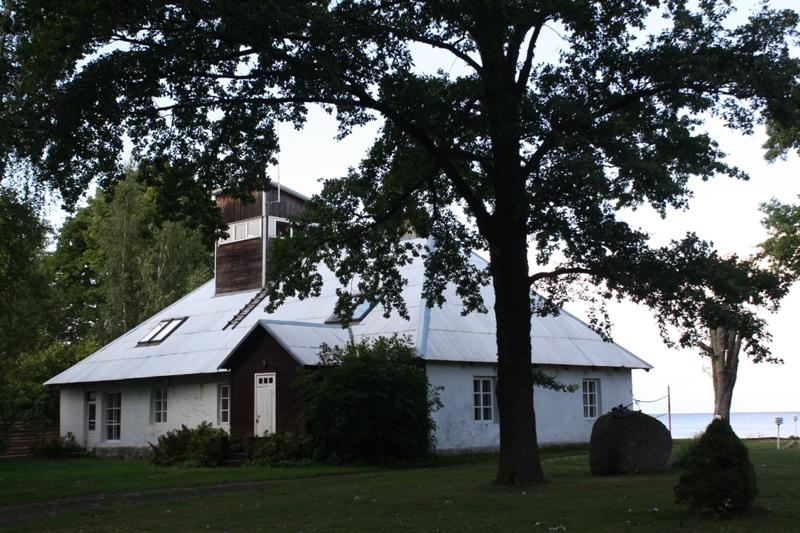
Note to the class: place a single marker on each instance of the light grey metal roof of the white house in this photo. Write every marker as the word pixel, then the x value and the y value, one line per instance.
pixel 200 345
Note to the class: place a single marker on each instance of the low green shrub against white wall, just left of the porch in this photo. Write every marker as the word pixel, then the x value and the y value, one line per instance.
pixel 188 447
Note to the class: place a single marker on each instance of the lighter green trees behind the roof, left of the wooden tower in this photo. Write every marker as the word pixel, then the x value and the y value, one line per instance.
pixel 121 259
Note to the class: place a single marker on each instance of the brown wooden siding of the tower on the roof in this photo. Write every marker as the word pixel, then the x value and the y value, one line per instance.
pixel 240 264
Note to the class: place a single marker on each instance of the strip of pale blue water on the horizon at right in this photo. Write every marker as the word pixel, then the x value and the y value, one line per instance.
pixel 745 425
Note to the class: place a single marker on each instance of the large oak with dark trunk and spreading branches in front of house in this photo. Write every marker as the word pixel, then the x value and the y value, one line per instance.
pixel 547 118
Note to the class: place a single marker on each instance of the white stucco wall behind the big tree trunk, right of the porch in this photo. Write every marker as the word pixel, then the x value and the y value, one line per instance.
pixel 559 415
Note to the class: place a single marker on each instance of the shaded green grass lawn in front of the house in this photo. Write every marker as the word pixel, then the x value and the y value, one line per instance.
pixel 454 494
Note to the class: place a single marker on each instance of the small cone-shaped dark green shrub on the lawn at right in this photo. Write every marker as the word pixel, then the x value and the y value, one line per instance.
pixel 719 476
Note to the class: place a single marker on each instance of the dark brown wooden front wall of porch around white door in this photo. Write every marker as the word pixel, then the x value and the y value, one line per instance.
pixel 248 361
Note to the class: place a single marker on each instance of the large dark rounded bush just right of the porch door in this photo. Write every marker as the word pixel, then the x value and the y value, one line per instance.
pixel 369 403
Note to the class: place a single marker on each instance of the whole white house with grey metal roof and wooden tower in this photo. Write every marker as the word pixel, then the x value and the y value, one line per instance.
pixel 217 356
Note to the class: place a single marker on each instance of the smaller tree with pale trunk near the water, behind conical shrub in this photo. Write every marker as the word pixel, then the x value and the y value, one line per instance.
pixel 720 312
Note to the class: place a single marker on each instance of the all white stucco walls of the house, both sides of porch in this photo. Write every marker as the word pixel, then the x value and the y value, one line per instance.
pixel 194 399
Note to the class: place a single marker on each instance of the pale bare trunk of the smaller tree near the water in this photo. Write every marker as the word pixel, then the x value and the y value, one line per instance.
pixel 724 353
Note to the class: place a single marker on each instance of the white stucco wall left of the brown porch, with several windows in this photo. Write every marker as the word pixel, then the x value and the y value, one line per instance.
pixel 191 400
